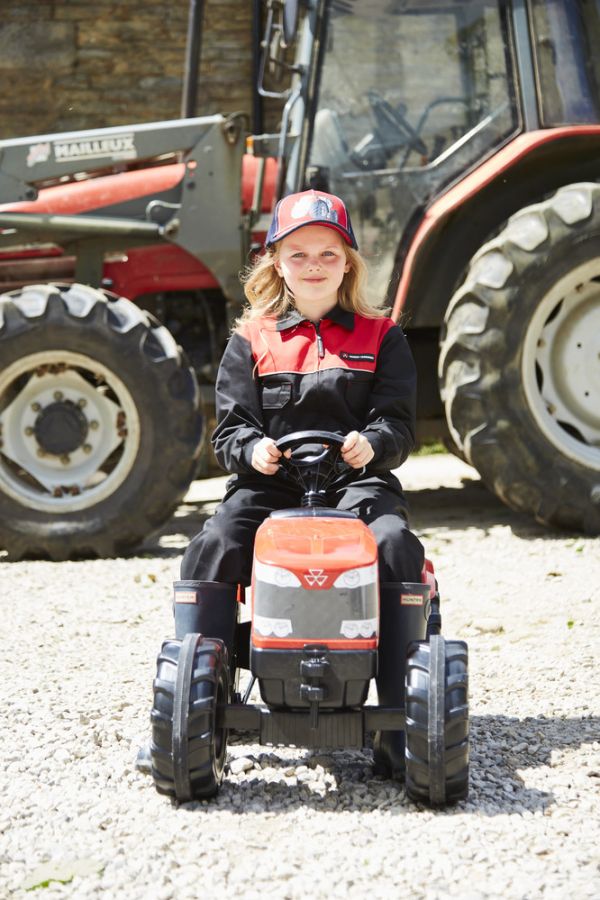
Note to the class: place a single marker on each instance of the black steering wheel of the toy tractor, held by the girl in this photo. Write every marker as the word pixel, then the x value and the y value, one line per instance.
pixel 313 471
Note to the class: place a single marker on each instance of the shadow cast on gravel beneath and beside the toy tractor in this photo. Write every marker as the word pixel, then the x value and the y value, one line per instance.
pixel 502 750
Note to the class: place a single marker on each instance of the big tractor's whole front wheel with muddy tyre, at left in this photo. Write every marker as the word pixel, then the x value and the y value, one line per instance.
pixel 100 424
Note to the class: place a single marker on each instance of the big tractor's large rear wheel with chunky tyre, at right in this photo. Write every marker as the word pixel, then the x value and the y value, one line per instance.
pixel 519 363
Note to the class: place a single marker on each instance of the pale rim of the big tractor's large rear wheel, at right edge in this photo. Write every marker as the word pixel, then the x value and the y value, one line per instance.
pixel 561 365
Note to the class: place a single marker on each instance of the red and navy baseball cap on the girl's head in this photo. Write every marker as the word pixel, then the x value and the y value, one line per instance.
pixel 310 208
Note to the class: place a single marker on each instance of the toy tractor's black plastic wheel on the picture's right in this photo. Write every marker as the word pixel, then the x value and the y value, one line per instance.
pixel 437 721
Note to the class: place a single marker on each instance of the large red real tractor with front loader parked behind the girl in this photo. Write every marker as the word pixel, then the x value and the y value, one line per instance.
pixel 465 139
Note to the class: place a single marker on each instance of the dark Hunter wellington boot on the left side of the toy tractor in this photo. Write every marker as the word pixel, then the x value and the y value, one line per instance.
pixel 209 608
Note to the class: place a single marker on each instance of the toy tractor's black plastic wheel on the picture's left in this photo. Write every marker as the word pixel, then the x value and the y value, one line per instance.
pixel 188 747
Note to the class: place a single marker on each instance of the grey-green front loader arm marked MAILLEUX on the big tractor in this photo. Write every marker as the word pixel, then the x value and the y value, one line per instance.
pixel 205 220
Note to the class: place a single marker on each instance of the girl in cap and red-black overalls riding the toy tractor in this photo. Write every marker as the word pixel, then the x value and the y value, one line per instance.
pixel 309 353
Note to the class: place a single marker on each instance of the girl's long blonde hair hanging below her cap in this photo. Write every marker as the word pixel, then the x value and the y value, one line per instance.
pixel 268 294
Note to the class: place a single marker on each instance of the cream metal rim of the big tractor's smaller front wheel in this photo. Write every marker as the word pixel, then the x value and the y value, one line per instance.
pixel 70 432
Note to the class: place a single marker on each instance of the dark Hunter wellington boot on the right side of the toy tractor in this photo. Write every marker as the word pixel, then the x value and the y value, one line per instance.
pixel 403 619
